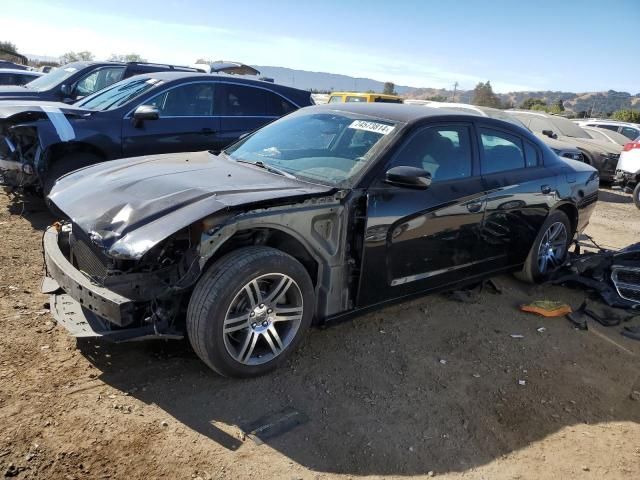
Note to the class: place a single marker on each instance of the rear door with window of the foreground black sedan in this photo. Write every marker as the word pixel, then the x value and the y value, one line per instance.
pixel 519 194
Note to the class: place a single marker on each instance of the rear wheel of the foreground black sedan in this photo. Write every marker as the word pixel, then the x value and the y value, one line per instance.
pixel 549 250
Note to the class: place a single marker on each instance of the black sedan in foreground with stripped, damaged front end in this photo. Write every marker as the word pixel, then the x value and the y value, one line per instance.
pixel 328 212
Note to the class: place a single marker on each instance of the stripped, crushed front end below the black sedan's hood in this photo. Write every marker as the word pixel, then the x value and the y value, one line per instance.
pixel 93 294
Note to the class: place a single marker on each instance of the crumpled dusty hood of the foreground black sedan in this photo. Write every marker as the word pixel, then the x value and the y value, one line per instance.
pixel 127 206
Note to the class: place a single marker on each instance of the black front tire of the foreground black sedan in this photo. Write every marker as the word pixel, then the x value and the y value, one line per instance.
pixel 214 297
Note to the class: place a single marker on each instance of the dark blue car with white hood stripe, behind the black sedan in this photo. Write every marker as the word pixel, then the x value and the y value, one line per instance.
pixel 146 114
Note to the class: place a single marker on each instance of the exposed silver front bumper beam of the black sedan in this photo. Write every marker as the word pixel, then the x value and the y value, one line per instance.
pixel 90 296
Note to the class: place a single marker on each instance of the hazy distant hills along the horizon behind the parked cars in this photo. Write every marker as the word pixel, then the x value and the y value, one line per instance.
pixel 604 102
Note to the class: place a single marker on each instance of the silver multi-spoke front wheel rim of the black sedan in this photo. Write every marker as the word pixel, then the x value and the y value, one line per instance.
pixel 263 319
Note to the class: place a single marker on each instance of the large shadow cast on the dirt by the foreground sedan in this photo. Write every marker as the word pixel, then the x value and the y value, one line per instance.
pixel 432 385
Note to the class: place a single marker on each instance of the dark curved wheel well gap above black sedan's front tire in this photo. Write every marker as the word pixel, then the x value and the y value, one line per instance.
pixel 274 238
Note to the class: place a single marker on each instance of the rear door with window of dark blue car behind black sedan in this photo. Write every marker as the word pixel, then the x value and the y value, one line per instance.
pixel 245 108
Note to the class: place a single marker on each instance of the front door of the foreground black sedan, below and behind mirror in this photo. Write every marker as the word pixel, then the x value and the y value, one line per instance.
pixel 417 240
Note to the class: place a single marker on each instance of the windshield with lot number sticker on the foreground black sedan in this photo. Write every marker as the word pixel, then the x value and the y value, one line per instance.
pixel 329 148
